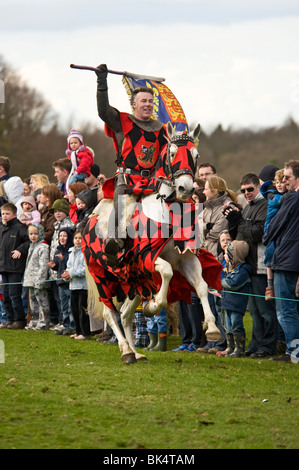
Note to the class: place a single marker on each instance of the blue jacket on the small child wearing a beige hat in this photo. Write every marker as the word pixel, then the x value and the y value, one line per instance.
pixel 237 280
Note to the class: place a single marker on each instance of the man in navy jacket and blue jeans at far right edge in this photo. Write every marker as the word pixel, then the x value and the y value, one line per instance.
pixel 284 231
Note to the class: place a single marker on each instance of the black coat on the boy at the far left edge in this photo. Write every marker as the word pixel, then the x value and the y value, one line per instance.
pixel 13 236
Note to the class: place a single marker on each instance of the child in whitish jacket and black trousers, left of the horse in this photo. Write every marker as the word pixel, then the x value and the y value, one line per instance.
pixel 75 274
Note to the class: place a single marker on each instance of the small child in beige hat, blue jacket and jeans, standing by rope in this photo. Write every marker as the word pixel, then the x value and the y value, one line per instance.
pixel 236 279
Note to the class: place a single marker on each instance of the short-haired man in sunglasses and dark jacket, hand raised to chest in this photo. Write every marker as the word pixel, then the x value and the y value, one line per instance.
pixel 248 225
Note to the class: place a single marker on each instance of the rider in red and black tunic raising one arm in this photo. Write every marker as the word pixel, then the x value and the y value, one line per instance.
pixel 138 140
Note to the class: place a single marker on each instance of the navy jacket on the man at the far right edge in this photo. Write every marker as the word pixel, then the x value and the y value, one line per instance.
pixel 284 231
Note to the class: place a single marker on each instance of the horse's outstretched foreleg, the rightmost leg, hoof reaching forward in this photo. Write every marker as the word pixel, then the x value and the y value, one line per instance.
pixel 190 268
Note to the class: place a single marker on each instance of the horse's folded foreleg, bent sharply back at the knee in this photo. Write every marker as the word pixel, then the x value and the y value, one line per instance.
pixel 160 300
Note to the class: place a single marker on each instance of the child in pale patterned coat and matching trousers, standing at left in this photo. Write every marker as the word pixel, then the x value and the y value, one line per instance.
pixel 36 273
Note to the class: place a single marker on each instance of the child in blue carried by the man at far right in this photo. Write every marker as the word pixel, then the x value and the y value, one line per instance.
pixel 274 199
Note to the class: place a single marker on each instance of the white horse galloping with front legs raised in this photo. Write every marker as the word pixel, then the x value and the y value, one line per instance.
pixel 170 260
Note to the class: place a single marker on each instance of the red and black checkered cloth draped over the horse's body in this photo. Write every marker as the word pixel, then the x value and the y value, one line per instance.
pixel 135 273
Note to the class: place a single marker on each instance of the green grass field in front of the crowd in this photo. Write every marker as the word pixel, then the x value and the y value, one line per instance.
pixel 58 393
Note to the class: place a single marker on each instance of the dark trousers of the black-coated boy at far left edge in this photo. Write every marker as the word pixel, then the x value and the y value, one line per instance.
pixel 12 297
